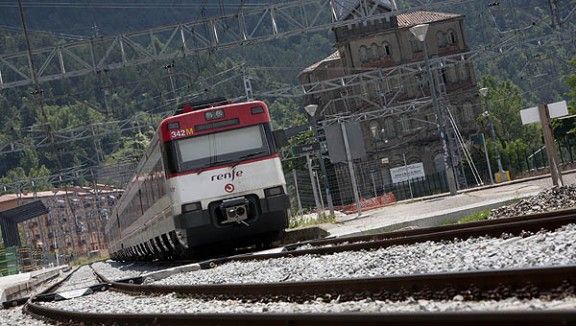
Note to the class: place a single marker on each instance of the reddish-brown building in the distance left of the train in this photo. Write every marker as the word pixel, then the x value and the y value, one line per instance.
pixel 75 223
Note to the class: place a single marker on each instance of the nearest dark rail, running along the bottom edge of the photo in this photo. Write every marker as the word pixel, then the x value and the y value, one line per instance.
pixel 551 318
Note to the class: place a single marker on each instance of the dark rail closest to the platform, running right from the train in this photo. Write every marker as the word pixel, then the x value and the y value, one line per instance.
pixel 492 228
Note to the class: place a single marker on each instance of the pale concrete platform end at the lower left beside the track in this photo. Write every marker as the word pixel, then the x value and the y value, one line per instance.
pixel 23 285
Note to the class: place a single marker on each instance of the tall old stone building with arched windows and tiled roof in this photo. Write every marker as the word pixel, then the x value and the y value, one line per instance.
pixel 389 46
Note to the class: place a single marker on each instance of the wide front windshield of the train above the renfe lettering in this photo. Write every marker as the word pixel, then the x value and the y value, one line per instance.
pixel 221 148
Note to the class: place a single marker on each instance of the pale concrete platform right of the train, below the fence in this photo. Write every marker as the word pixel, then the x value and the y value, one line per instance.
pixel 442 209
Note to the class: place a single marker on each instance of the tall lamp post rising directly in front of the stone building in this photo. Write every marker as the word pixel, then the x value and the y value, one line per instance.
pixel 420 31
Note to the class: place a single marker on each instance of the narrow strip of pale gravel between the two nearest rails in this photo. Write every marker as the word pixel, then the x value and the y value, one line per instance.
pixel 111 302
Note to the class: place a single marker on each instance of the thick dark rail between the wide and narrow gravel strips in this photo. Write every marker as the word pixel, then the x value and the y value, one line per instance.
pixel 472 285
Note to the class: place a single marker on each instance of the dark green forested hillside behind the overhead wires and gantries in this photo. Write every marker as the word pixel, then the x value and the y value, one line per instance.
pixel 120 94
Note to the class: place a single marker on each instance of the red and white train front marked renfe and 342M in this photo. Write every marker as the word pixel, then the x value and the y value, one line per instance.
pixel 224 175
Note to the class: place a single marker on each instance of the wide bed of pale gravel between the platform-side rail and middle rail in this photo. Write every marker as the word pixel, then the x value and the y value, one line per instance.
pixel 540 249
